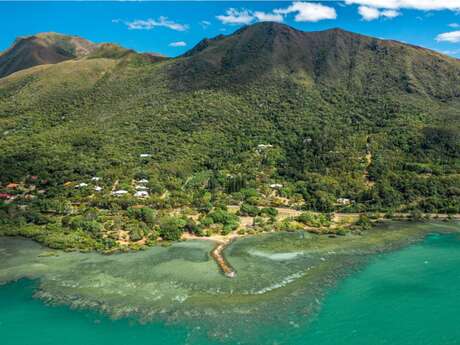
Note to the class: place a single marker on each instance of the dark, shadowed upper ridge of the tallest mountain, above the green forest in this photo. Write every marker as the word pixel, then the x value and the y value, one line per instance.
pixel 333 57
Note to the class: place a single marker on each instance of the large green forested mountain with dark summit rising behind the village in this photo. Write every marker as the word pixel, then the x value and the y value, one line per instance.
pixel 344 115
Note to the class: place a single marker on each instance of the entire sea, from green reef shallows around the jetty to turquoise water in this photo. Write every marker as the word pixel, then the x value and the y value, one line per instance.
pixel 406 296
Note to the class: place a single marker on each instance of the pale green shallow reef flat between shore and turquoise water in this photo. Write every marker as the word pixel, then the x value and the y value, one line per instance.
pixel 320 273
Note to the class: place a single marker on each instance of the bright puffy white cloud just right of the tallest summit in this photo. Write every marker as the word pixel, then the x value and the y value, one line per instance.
pixel 308 12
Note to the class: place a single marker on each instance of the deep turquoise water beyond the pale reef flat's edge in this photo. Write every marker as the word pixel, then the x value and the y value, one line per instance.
pixel 409 296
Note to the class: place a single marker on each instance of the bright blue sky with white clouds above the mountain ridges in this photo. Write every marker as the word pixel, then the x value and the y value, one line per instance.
pixel 172 27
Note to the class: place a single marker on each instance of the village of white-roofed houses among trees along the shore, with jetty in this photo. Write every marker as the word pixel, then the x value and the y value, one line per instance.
pixel 112 214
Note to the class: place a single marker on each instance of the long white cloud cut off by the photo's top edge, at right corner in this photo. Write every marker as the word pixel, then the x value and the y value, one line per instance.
pixel 424 5
